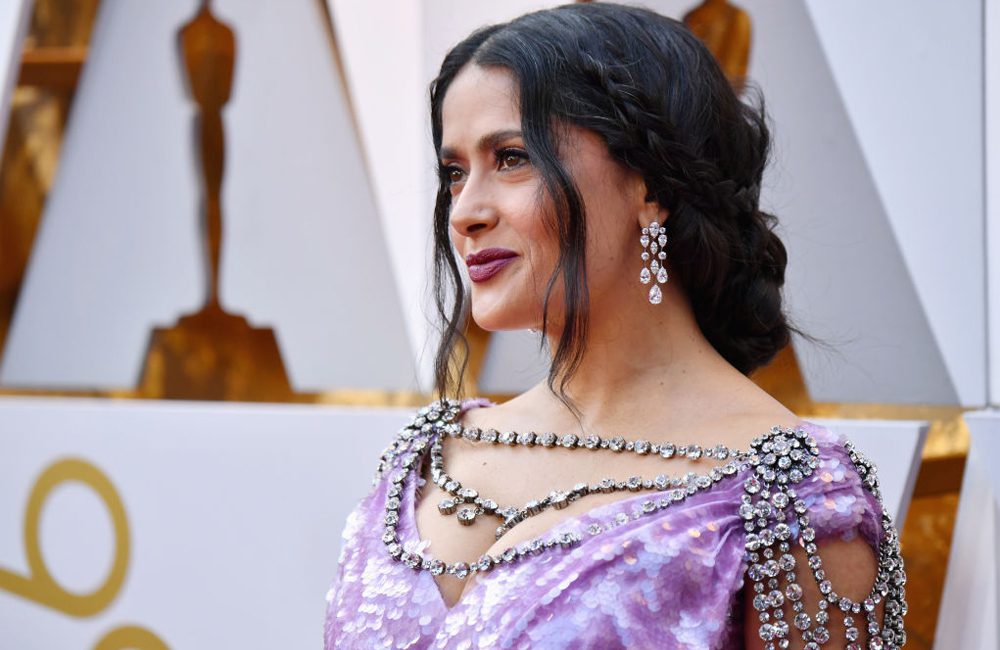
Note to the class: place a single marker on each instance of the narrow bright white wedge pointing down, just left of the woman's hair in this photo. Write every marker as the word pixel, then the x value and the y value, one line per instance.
pixel 380 49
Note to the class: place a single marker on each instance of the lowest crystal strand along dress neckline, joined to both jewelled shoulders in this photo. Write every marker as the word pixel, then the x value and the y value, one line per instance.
pixel 774 518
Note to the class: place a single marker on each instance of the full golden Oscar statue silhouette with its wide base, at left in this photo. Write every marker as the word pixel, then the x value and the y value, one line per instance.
pixel 212 354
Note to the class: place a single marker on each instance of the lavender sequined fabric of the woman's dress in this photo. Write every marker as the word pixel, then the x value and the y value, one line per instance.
pixel 638 577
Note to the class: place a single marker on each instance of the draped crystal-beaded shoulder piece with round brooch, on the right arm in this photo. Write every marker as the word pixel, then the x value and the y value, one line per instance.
pixel 769 503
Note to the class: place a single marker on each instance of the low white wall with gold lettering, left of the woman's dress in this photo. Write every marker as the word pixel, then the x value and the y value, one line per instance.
pixel 233 512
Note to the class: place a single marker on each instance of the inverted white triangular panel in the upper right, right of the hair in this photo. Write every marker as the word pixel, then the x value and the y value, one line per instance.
pixel 916 108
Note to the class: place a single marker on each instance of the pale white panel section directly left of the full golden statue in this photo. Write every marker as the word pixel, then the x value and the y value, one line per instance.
pixel 117 250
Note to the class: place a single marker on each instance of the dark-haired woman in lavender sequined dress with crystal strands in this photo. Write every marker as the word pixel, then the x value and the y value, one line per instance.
pixel 600 178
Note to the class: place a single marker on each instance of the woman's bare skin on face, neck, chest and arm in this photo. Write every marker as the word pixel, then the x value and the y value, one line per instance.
pixel 648 371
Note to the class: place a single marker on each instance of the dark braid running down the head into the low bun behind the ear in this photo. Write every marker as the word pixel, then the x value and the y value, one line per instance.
pixel 724 250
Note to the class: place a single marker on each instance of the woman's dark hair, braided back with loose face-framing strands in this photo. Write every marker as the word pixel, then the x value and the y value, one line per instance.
pixel 657 97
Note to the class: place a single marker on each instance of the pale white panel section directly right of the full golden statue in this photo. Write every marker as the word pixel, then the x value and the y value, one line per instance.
pixel 305 250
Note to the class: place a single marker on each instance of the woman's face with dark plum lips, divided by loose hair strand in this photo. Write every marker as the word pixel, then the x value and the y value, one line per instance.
pixel 497 201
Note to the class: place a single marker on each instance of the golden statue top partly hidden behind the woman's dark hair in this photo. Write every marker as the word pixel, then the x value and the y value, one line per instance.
pixel 726 30
